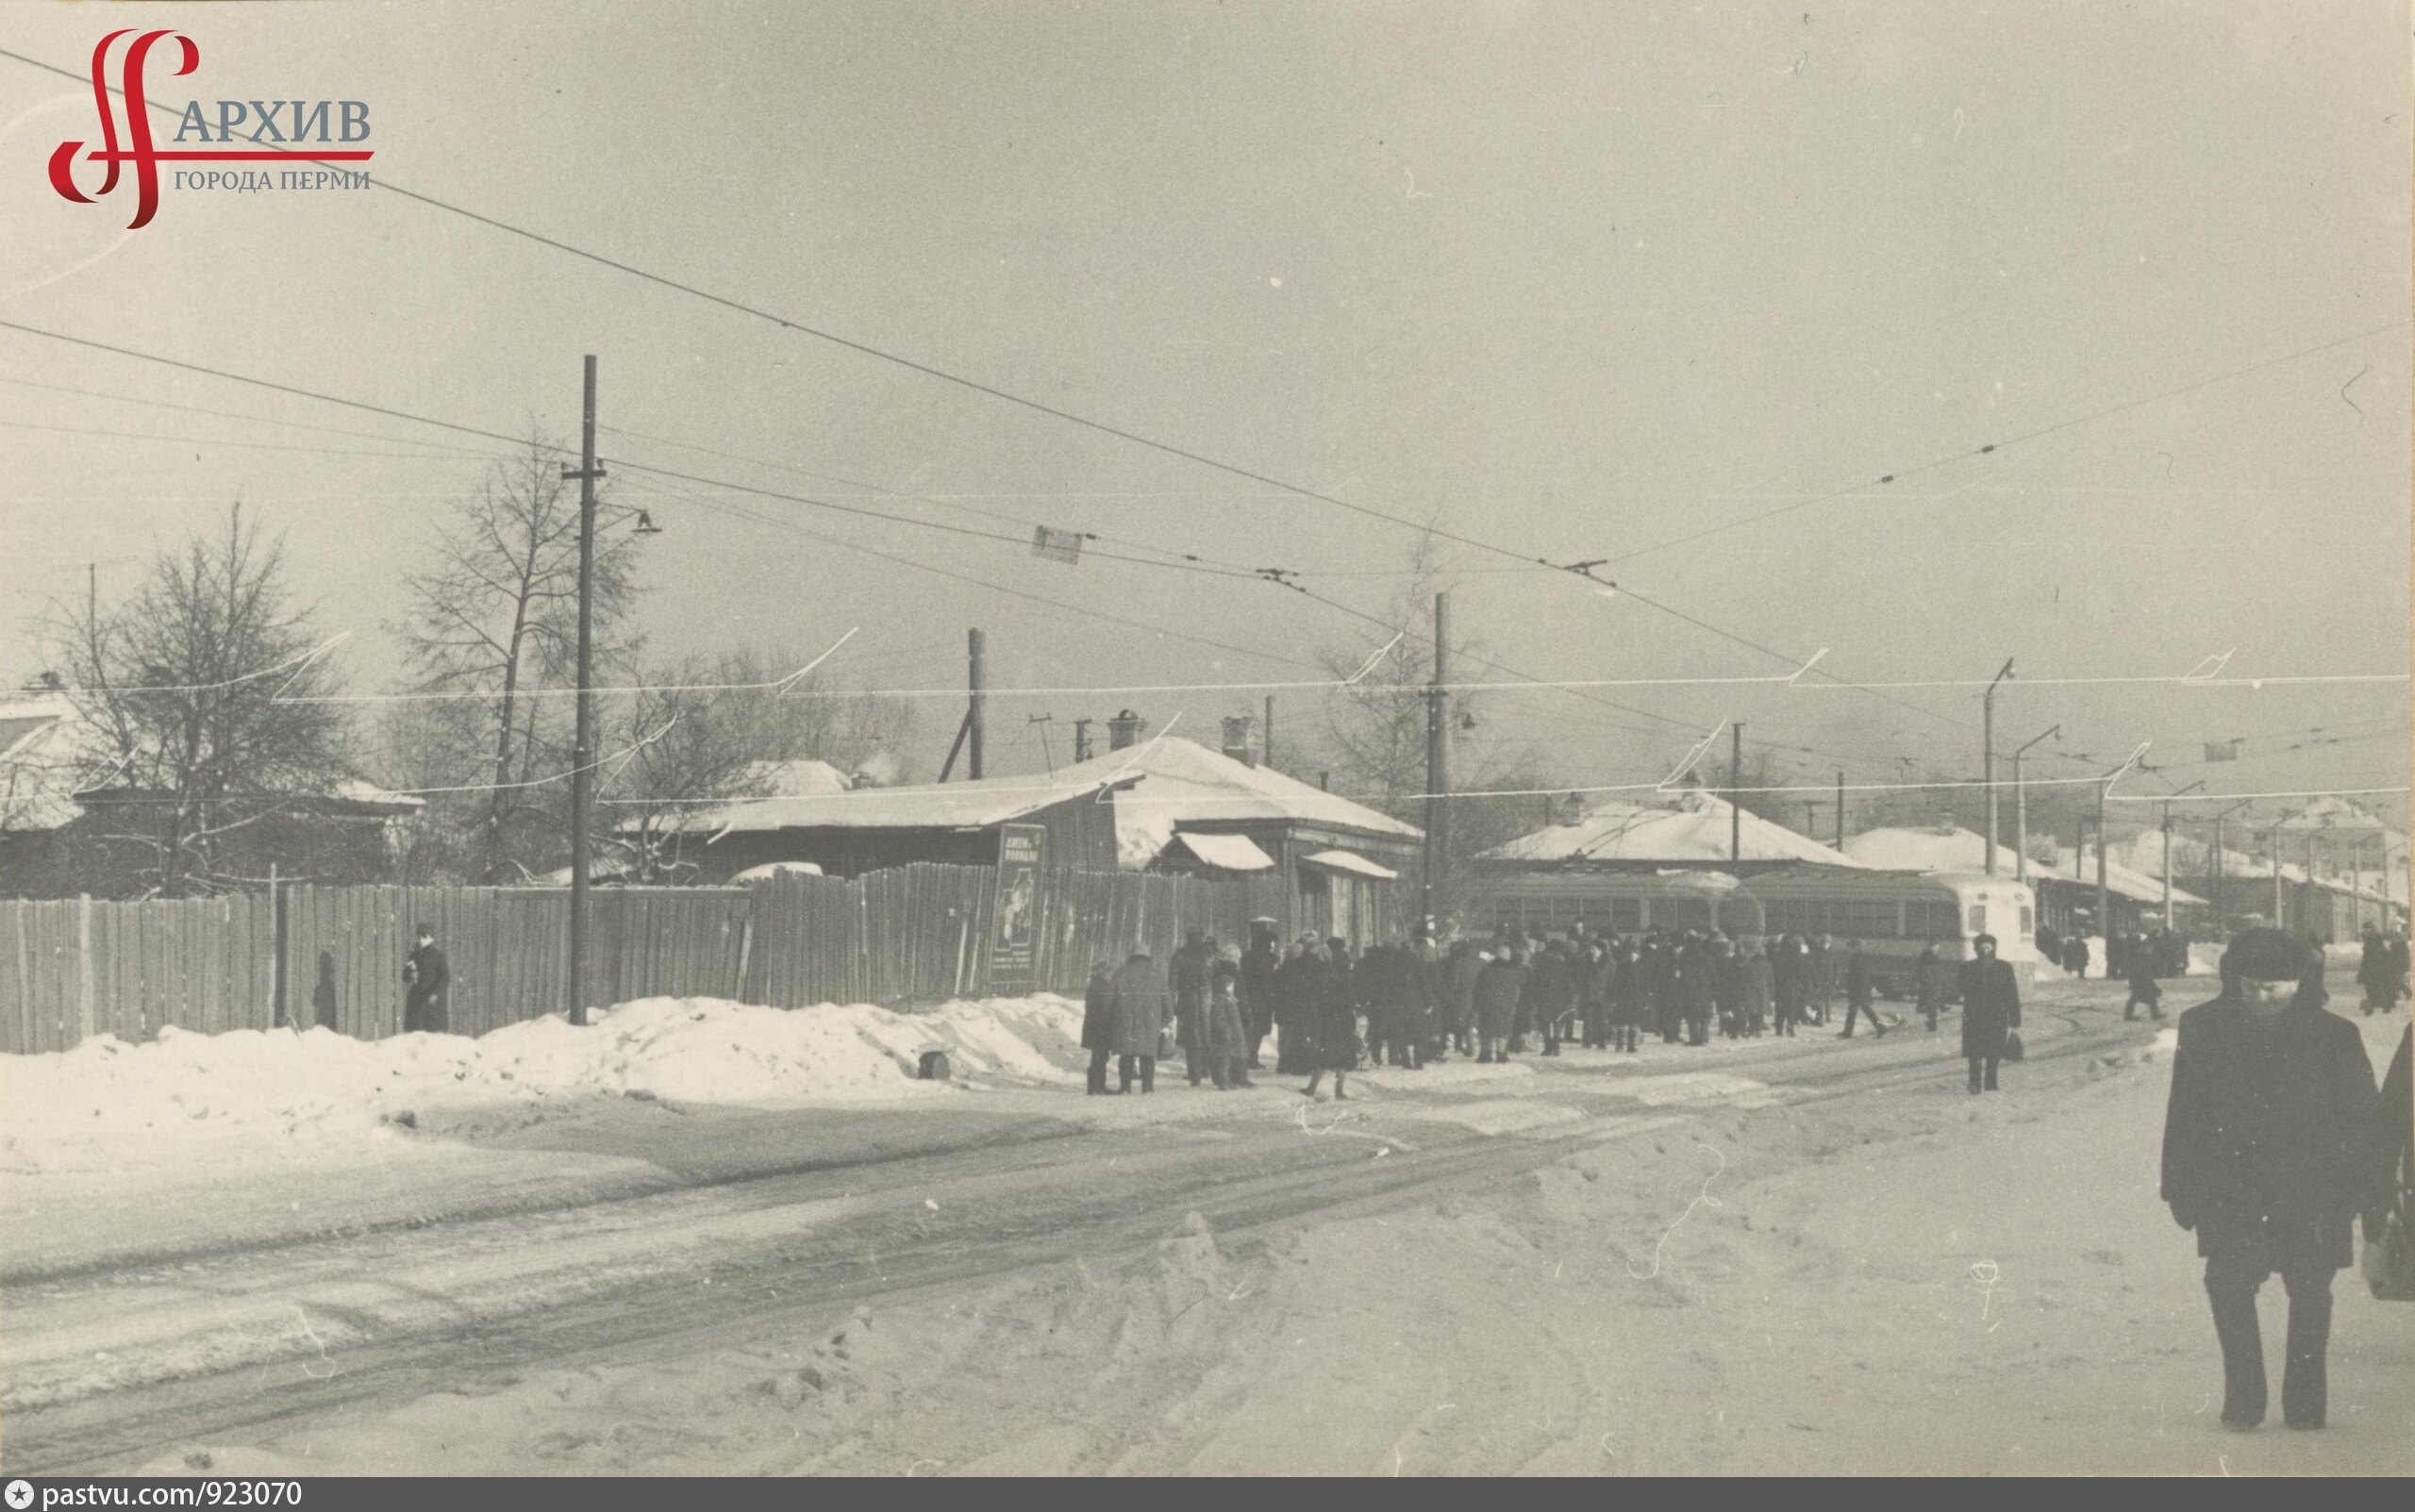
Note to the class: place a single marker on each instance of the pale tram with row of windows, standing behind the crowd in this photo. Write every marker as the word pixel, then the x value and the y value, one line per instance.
pixel 1892 914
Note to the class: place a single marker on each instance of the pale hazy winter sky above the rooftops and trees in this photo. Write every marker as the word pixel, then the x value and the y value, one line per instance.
pixel 1573 279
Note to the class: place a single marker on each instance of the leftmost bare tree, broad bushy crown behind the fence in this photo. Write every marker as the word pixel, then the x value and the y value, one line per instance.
pixel 204 711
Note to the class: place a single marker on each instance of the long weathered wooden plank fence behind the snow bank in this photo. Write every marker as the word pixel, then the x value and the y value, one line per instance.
pixel 78 967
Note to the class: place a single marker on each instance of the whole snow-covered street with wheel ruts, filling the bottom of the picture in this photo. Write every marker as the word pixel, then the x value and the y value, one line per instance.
pixel 1754 1257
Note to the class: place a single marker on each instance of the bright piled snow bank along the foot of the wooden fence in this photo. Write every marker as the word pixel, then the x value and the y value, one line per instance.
pixel 107 1105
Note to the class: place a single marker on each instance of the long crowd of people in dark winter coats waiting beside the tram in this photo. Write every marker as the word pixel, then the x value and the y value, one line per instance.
pixel 1414 1004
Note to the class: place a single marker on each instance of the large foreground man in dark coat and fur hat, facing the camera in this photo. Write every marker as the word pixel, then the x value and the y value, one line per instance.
pixel 2266 1156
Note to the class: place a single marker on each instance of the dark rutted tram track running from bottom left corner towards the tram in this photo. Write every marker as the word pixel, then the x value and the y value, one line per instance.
pixel 1001 1223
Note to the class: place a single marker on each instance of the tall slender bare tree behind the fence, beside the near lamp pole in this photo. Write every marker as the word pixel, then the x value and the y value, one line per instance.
pixel 496 617
